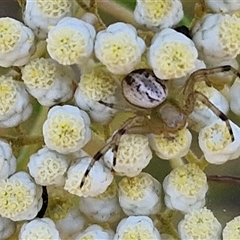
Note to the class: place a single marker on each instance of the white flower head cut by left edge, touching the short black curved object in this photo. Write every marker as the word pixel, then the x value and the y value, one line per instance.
pixel 20 197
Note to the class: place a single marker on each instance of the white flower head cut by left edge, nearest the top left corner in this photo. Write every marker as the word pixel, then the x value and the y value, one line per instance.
pixel 16 43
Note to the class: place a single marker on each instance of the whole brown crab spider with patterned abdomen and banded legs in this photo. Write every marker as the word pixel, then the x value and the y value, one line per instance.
pixel 157 112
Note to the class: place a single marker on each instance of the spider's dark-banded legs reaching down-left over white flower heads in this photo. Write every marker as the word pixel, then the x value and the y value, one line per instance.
pixel 113 143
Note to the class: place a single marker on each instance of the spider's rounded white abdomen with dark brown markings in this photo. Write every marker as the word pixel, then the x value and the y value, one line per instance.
pixel 143 89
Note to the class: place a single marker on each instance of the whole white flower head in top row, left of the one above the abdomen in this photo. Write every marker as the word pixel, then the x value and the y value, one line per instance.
pixel 70 41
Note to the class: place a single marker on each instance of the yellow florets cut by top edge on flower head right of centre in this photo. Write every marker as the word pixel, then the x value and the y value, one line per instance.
pixel 155 10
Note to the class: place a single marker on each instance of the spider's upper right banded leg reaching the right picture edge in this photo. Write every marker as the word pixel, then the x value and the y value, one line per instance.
pixel 202 74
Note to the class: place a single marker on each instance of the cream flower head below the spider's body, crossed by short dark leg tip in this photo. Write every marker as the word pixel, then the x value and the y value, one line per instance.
pixel 133 155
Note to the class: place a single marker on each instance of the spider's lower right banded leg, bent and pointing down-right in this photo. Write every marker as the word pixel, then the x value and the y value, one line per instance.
pixel 190 103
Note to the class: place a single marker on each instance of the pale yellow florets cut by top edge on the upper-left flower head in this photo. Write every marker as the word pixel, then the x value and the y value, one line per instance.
pixel 54 8
